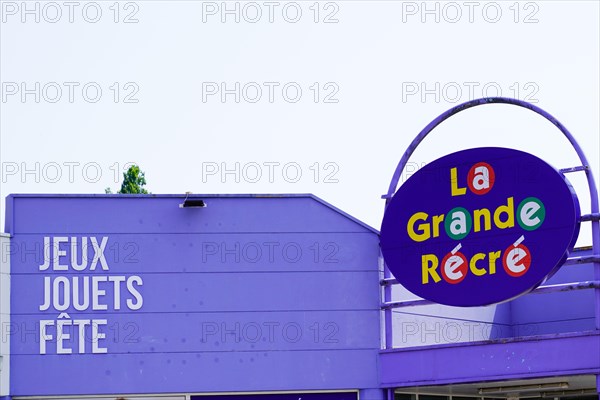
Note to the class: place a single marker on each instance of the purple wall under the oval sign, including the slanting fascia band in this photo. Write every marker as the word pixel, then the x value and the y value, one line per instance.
pixel 536 335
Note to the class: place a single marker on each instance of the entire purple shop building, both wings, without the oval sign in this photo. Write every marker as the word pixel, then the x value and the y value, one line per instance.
pixel 273 296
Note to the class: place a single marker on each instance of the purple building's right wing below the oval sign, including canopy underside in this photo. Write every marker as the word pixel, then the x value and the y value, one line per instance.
pixel 542 345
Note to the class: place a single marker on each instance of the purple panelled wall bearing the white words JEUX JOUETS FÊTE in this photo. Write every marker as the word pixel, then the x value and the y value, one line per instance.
pixel 248 294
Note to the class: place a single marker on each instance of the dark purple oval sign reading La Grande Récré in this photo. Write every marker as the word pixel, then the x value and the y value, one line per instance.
pixel 480 226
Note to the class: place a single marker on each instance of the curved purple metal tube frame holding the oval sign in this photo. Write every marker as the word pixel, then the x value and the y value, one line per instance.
pixel 594 217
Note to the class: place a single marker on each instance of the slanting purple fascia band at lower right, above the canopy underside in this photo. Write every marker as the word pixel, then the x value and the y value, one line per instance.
pixel 554 355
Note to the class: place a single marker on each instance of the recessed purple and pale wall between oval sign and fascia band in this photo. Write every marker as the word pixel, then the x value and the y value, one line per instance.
pixel 529 315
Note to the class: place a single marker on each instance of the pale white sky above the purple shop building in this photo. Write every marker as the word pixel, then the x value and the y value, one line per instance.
pixel 372 60
